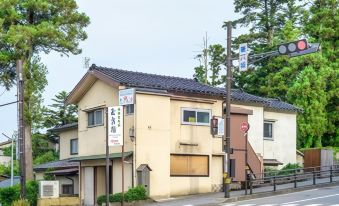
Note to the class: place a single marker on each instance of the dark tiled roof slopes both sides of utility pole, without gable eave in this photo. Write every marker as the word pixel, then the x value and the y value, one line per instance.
pixel 177 84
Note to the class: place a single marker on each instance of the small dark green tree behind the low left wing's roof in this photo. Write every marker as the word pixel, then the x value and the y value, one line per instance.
pixel 59 113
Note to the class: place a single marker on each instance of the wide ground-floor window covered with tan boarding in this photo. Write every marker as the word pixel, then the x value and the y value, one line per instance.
pixel 189 165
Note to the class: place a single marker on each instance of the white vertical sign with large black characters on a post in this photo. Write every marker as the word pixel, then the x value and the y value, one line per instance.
pixel 115 126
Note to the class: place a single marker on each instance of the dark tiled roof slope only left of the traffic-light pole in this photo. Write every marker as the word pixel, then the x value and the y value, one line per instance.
pixel 153 81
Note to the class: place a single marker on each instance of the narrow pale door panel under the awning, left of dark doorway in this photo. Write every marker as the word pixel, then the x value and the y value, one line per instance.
pixel 89 186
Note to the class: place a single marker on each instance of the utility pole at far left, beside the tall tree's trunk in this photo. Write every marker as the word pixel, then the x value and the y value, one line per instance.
pixel 21 129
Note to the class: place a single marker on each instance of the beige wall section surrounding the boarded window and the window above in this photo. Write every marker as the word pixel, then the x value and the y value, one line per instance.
pixel 193 134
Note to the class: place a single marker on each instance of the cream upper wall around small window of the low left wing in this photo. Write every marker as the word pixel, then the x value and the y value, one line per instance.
pixel 65 143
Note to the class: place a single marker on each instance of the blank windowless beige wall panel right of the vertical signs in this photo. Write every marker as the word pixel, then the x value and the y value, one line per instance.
pixel 153 140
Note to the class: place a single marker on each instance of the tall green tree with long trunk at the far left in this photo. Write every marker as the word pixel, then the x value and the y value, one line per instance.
pixel 28 27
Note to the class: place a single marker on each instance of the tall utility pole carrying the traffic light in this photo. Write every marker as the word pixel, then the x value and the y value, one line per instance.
pixel 227 180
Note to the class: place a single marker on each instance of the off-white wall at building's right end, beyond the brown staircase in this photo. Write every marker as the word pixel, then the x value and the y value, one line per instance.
pixel 283 146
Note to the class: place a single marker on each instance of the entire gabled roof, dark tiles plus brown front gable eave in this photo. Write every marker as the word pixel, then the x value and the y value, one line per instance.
pixel 169 84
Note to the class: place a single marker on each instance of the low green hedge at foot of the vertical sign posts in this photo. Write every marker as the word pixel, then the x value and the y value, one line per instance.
pixel 133 194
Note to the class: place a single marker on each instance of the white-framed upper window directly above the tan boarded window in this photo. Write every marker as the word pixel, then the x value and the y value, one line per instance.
pixel 196 116
